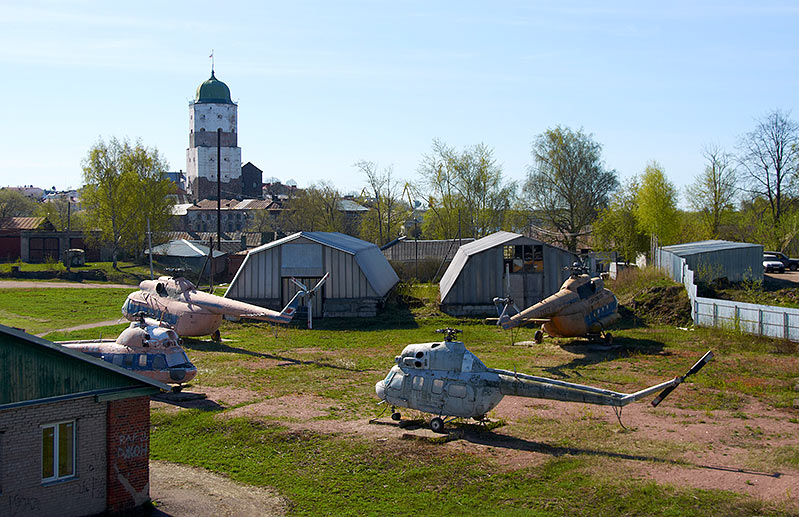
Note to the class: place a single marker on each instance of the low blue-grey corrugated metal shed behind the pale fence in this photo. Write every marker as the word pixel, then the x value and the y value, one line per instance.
pixel 709 260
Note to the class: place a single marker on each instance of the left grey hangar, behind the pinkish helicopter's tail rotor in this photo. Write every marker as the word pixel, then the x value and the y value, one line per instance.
pixel 360 276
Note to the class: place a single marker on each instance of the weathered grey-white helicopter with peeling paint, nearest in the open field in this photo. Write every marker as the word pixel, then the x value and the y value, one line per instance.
pixel 447 380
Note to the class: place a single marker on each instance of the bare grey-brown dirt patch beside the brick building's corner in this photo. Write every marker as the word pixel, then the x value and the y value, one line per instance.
pixel 179 491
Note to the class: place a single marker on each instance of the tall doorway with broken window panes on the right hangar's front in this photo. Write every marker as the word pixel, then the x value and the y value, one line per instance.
pixel 523 273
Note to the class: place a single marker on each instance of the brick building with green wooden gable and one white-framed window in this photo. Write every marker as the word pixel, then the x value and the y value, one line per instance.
pixel 74 430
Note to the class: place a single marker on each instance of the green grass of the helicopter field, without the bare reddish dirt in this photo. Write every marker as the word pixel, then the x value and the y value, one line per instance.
pixel 585 469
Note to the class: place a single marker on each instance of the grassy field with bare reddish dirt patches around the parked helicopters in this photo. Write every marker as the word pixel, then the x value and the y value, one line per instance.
pixel 290 410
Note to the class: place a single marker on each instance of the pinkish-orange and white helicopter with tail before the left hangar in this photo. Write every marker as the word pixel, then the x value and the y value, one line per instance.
pixel 177 303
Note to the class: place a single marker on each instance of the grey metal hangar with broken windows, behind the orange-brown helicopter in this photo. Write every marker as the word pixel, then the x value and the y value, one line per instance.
pixel 502 264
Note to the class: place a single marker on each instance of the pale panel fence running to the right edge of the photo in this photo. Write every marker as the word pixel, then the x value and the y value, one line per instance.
pixel 761 320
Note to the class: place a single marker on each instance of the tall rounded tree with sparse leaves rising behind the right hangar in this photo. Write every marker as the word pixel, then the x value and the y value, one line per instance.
pixel 568 183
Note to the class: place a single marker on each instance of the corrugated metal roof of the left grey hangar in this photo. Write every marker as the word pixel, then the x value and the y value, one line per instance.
pixel 370 259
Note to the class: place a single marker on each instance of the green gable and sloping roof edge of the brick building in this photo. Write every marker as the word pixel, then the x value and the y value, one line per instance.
pixel 34 370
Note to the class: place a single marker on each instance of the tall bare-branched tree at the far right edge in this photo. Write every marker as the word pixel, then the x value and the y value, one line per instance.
pixel 769 157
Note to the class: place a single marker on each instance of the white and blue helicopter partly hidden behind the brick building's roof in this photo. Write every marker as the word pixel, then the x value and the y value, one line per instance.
pixel 146 348
